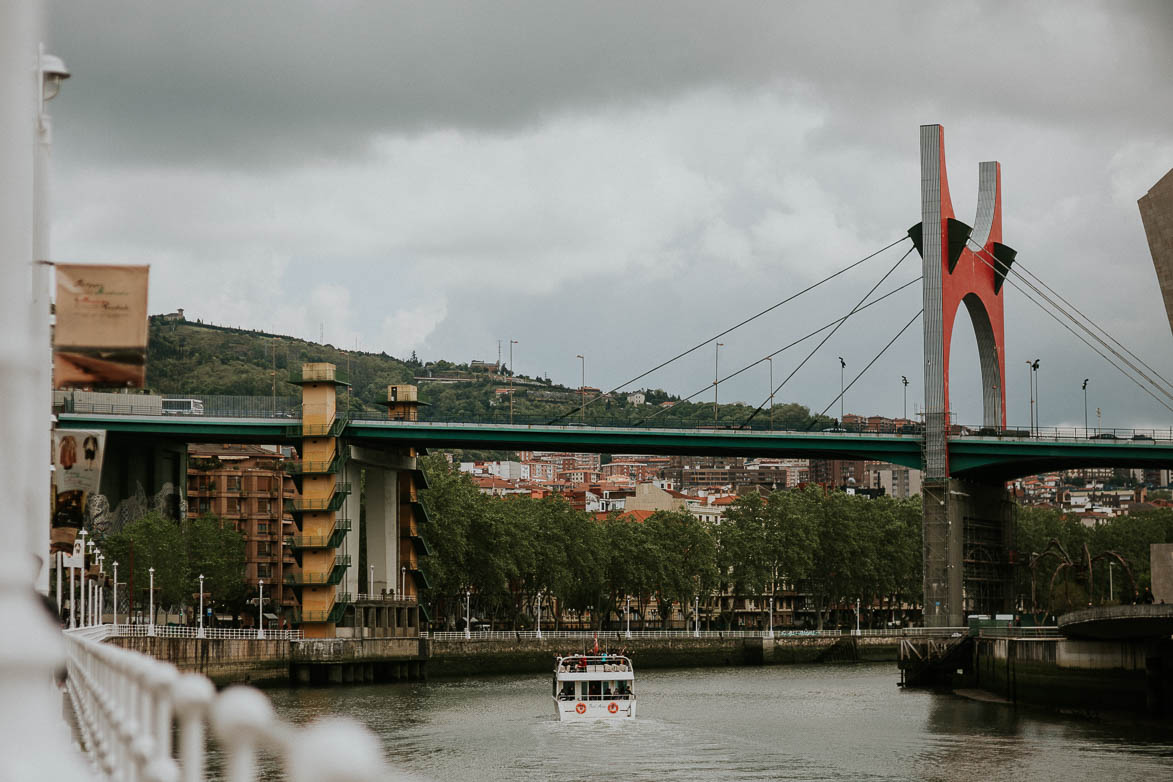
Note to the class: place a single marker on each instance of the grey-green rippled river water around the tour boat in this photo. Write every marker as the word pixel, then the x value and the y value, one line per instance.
pixel 779 723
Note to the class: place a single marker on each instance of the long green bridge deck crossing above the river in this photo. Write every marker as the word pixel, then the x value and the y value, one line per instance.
pixel 984 459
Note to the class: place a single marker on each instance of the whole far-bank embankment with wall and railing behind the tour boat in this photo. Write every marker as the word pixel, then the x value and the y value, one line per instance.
pixel 240 657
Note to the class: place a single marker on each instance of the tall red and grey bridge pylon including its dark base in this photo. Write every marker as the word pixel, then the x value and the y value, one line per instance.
pixel 968 528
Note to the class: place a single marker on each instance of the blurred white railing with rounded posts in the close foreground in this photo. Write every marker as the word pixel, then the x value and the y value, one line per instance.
pixel 126 705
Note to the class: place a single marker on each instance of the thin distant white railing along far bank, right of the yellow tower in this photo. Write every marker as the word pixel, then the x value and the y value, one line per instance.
pixel 620 635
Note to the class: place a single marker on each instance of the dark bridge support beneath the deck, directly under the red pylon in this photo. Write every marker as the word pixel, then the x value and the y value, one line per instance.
pixel 968 545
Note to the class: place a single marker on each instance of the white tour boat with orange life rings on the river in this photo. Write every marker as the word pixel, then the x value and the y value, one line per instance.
pixel 594 688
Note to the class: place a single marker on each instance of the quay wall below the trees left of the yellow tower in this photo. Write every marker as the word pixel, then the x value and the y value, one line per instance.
pixel 226 662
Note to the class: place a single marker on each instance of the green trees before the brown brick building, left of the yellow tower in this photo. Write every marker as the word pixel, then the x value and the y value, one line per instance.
pixel 180 553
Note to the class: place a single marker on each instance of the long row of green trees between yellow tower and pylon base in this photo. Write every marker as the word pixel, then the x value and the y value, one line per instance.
pixel 510 553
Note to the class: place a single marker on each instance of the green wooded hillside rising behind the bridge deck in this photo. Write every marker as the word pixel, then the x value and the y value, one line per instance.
pixel 194 358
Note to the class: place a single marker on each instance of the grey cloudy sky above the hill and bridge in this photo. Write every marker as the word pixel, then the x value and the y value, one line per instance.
pixel 620 180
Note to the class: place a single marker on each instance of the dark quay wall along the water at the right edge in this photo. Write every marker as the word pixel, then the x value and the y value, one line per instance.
pixel 1127 676
